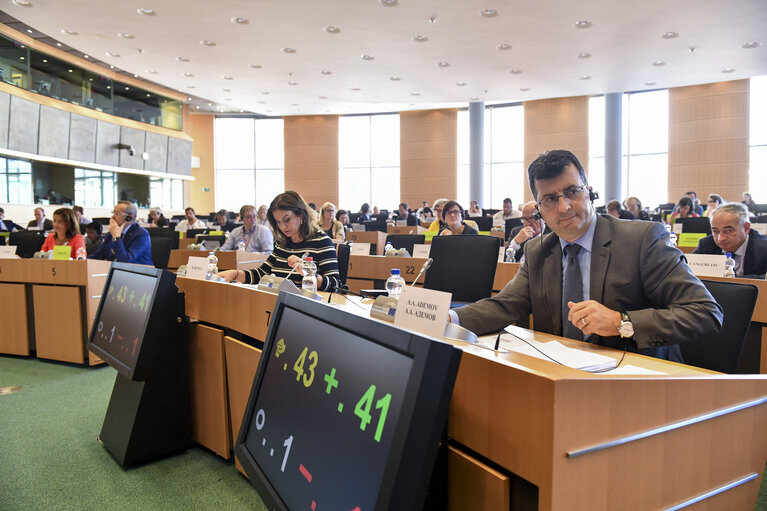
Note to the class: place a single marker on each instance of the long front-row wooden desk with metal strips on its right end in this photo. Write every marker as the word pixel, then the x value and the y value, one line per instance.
pixel 525 431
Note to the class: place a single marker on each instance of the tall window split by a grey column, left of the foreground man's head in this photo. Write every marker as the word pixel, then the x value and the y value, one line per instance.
pixel 503 156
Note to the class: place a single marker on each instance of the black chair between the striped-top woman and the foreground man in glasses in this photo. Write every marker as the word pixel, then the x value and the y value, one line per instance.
pixel 463 265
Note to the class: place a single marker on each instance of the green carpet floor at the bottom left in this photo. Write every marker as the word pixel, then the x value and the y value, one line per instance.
pixel 50 458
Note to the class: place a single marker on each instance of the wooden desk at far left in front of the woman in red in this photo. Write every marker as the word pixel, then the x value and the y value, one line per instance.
pixel 53 304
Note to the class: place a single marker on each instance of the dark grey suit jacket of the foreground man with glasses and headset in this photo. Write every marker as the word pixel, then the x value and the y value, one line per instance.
pixel 633 270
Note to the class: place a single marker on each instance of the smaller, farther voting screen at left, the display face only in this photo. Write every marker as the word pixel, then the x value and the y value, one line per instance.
pixel 120 325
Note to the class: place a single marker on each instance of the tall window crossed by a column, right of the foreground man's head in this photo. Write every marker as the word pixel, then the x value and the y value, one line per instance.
pixel 644 168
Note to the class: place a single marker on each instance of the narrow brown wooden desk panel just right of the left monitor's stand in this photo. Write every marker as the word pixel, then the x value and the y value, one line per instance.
pixel 207 382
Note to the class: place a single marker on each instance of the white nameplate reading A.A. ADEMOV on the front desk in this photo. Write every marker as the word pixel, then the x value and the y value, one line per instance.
pixel 423 310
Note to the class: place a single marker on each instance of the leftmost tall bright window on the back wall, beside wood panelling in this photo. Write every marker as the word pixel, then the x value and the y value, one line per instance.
pixel 250 161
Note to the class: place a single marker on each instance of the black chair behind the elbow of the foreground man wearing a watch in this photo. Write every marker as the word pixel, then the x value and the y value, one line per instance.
pixel 722 352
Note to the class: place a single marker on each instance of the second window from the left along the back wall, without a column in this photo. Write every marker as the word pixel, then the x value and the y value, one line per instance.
pixel 368 157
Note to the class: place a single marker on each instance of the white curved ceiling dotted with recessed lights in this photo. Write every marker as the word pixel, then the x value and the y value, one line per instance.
pixel 278 57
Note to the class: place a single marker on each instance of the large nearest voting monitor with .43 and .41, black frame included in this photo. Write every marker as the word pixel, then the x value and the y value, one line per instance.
pixel 331 410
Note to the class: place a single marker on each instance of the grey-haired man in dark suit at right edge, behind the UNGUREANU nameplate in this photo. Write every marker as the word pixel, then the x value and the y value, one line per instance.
pixel 731 232
